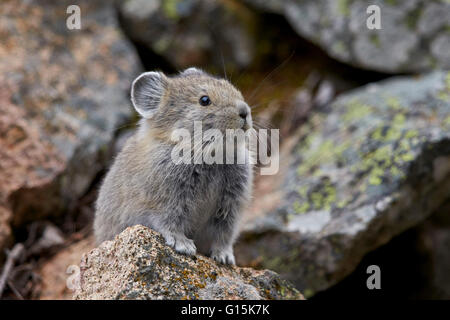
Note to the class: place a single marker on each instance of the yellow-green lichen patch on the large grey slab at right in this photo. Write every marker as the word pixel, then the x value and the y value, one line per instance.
pixel 375 157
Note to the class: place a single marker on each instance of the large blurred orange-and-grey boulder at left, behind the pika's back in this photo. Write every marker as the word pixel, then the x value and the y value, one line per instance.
pixel 63 95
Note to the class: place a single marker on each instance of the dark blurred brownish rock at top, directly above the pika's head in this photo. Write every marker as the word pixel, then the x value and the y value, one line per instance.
pixel 192 32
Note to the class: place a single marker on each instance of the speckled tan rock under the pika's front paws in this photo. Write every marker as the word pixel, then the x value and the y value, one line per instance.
pixel 138 265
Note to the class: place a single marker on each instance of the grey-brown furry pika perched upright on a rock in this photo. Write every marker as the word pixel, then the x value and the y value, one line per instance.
pixel 195 206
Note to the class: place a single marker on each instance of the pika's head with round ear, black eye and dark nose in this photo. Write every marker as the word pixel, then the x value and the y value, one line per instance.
pixel 169 103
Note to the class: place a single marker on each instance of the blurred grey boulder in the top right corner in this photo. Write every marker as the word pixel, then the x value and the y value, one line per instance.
pixel 414 34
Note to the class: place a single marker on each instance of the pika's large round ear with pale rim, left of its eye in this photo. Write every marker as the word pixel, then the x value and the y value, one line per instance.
pixel 147 91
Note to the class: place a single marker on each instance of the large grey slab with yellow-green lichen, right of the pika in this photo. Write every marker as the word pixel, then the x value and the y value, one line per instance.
pixel 375 163
